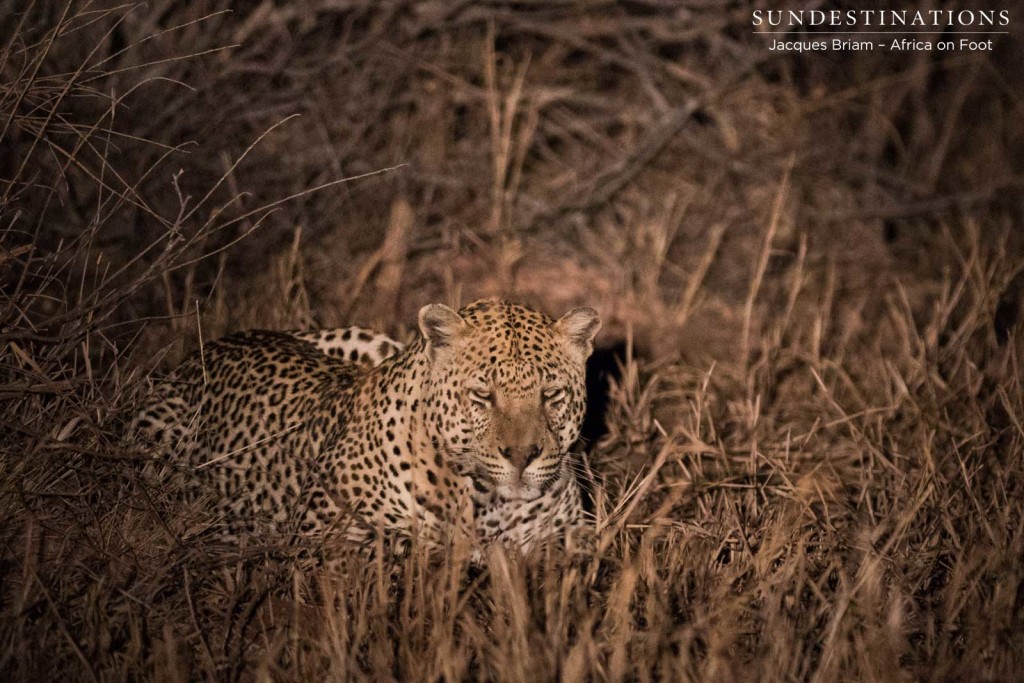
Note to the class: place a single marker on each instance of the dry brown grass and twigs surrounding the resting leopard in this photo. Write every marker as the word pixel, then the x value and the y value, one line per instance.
pixel 814 457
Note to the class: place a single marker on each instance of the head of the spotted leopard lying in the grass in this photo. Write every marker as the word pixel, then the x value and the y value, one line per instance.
pixel 507 391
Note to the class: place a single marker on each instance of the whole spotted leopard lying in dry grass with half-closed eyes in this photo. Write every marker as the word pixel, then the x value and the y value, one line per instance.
pixel 466 431
